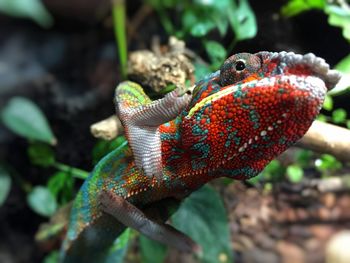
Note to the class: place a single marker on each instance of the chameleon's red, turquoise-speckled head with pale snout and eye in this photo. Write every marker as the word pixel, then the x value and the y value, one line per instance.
pixel 253 109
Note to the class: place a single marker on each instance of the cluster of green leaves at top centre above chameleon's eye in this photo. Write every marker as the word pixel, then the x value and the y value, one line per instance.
pixel 202 18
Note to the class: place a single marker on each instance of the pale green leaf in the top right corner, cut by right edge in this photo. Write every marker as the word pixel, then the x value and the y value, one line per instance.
pixel 340 17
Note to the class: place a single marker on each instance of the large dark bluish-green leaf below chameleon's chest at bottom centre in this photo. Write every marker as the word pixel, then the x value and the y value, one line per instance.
pixel 202 216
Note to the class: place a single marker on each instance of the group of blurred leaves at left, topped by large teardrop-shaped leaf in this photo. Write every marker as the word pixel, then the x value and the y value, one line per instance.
pixel 25 118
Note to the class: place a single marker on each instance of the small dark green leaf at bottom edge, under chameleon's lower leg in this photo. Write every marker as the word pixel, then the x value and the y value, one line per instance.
pixel 152 251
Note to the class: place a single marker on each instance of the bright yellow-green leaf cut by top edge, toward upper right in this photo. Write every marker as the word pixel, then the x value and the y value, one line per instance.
pixel 295 7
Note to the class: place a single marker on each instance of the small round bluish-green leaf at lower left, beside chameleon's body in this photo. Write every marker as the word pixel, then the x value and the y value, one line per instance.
pixel 41 201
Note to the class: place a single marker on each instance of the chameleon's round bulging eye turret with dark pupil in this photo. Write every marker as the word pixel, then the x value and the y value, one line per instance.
pixel 238 67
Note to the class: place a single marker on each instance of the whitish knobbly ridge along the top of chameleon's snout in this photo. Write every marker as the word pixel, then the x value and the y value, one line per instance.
pixel 317 65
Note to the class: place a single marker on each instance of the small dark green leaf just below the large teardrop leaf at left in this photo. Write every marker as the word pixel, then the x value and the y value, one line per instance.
pixel 41 154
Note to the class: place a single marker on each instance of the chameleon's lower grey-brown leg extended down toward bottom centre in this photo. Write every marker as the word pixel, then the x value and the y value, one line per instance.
pixel 131 216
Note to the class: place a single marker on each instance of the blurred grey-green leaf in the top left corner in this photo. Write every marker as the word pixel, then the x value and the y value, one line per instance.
pixel 33 9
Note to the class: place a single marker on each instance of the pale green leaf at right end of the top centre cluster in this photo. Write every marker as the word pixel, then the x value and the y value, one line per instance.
pixel 242 20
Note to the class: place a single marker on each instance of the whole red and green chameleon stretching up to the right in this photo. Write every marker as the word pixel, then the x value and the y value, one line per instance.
pixel 232 124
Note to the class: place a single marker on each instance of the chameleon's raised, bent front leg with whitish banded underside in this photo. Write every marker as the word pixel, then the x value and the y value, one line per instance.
pixel 141 119
